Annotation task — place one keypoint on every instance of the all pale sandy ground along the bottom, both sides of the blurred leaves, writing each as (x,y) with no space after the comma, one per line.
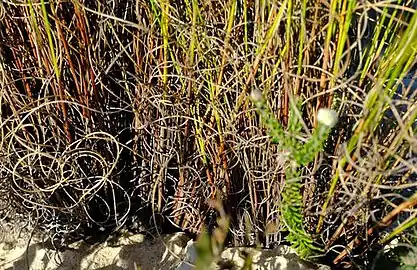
(127,252)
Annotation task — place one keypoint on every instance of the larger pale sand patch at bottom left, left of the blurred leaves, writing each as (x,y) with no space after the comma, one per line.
(130,252)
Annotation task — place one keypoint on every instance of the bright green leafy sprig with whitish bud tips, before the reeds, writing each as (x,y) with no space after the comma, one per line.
(297,154)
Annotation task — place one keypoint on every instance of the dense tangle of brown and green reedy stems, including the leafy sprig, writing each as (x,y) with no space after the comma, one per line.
(116,111)
